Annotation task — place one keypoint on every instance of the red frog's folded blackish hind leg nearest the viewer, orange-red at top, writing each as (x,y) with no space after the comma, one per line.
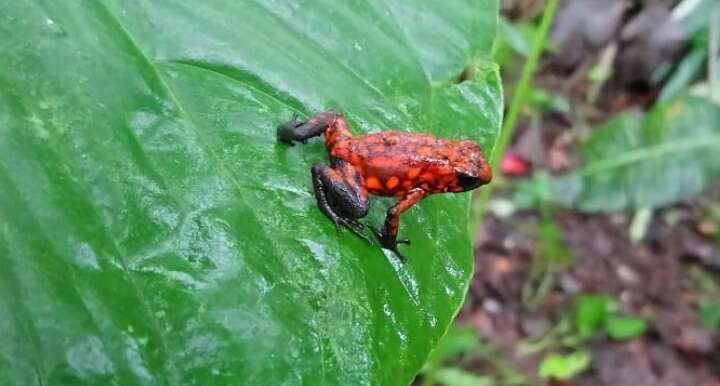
(340,195)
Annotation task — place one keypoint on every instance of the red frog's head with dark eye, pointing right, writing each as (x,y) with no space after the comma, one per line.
(471,168)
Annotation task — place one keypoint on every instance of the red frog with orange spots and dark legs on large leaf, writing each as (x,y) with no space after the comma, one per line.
(406,165)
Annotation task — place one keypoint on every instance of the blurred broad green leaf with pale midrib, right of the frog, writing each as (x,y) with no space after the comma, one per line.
(636,163)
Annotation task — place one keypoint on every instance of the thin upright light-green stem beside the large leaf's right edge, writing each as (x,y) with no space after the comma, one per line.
(518,100)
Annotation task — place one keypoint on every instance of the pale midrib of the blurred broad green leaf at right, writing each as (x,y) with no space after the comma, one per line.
(645,153)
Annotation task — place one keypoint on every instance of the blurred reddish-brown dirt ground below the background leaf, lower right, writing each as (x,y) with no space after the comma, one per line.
(657,279)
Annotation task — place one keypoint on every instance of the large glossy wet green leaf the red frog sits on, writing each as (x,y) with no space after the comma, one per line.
(152,230)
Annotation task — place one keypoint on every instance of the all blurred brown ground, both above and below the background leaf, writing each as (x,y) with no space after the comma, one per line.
(662,277)
